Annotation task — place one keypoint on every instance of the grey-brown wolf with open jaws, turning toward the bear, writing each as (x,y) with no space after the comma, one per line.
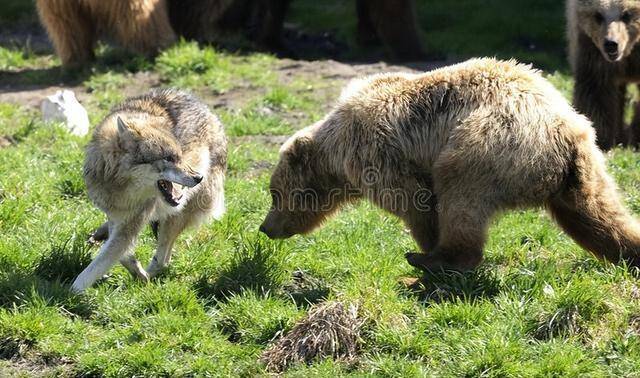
(159,158)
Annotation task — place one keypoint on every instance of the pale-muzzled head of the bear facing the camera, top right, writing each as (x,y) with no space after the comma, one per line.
(612,25)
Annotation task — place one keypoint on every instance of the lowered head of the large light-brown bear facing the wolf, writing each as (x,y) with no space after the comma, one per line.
(303,192)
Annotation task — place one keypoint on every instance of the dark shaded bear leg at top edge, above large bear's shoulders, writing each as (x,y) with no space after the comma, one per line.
(392,22)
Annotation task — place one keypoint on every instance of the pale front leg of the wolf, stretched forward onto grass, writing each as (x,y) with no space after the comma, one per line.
(122,238)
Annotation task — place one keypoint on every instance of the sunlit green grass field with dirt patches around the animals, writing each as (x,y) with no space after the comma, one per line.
(538,306)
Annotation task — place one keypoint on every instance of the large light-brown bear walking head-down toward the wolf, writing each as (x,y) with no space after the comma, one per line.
(447,150)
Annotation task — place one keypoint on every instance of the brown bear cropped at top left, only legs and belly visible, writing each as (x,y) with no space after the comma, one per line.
(74,26)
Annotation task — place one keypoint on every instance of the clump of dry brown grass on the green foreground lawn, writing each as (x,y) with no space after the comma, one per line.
(331,329)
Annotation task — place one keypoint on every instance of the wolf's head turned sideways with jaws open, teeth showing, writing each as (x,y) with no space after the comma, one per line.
(156,160)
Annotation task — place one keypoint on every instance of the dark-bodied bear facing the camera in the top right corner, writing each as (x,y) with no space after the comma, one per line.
(602,38)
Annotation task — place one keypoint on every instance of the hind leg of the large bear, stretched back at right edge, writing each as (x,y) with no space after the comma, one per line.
(590,210)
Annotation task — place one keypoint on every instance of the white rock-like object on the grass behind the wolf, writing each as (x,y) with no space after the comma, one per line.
(64,107)
